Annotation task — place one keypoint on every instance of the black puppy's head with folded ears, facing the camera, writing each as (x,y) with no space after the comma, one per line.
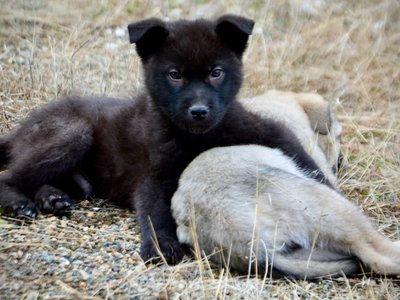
(192,69)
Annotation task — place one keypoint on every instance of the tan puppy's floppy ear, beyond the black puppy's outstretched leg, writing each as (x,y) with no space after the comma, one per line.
(318,110)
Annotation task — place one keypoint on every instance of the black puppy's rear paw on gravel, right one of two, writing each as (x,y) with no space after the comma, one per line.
(52,200)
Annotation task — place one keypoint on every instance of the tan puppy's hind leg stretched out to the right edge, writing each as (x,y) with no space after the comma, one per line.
(343,226)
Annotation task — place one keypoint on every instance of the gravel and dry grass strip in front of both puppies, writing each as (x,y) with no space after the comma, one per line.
(94,254)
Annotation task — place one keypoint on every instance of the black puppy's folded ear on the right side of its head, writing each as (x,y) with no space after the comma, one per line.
(234,31)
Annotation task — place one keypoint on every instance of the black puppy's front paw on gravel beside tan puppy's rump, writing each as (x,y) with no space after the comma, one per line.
(166,248)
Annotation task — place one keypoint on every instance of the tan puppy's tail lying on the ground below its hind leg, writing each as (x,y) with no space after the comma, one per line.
(324,263)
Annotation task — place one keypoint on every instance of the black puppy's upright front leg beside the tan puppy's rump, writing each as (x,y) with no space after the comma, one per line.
(158,228)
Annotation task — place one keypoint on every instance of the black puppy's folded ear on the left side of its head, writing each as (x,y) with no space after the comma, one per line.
(148,35)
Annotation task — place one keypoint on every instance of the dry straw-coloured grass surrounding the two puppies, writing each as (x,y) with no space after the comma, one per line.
(348,51)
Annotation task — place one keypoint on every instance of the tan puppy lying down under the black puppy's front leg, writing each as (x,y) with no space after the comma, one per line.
(252,206)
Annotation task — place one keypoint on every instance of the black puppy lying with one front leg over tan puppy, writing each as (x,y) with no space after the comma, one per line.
(133,152)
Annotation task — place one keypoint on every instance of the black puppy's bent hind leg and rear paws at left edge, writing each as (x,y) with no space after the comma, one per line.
(41,153)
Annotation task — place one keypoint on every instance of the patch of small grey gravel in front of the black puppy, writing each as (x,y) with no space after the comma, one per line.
(93,253)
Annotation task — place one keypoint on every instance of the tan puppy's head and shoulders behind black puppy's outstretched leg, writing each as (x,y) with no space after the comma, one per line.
(310,117)
